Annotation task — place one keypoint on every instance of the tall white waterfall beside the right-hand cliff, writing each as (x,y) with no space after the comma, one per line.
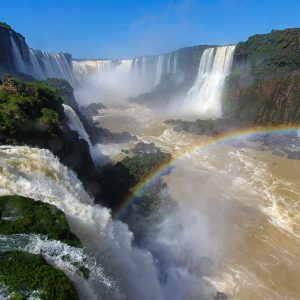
(204,98)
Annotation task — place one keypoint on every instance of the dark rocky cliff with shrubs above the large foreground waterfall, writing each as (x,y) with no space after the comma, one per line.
(32,114)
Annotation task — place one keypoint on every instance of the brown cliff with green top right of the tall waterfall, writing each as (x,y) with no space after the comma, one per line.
(265,81)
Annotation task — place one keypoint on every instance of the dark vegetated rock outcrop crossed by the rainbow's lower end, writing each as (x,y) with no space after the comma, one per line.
(146,209)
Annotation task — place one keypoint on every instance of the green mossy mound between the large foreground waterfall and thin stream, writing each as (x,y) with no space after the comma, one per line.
(24,215)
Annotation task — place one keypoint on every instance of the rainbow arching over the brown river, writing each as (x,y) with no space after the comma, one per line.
(164,168)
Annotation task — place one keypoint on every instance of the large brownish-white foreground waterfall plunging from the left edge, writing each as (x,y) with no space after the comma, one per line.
(36,173)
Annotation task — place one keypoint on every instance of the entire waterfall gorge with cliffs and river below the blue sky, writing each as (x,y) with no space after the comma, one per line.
(170,176)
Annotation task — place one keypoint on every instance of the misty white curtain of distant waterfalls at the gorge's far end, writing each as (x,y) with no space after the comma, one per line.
(161,82)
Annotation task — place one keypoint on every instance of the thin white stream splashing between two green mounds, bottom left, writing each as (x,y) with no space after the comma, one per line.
(63,257)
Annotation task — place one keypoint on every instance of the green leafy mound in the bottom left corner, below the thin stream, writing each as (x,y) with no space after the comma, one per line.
(24,273)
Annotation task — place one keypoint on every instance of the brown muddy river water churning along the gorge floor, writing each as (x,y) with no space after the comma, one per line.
(248,201)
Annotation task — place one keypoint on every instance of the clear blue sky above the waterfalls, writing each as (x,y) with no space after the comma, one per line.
(127,28)
